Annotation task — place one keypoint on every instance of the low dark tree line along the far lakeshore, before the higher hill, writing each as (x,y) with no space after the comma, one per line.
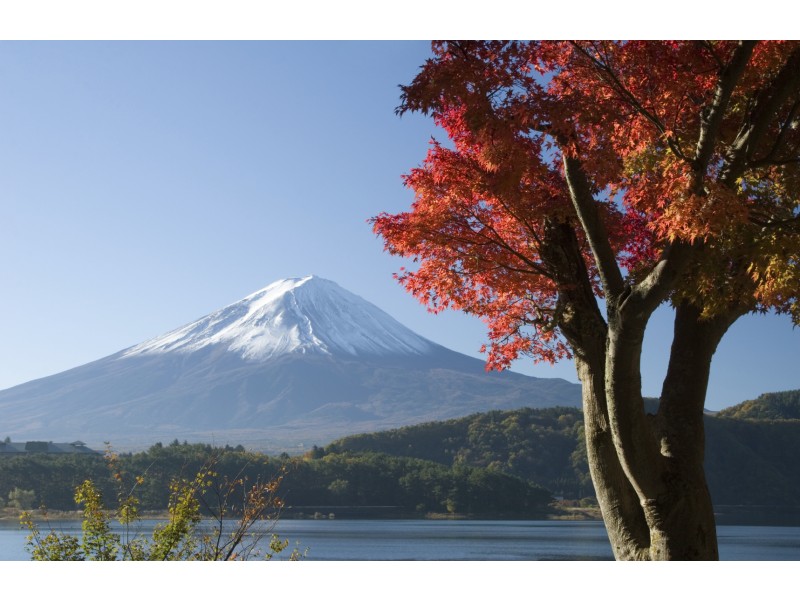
(400,485)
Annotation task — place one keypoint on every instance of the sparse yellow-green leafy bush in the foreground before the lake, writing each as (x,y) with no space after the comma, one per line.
(243,517)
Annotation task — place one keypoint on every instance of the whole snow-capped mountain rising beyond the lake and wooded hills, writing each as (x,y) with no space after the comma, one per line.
(300,362)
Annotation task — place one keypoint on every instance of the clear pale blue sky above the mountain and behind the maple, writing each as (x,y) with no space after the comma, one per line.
(145,184)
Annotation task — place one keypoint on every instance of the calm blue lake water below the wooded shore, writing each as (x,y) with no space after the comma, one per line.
(430,540)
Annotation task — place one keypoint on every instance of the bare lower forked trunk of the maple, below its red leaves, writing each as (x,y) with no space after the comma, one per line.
(648,469)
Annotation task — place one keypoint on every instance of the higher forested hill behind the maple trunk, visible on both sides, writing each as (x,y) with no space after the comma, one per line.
(748,461)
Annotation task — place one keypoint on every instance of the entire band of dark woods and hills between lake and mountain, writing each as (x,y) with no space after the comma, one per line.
(496,463)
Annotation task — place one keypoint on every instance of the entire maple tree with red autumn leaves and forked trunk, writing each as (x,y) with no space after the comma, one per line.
(583,185)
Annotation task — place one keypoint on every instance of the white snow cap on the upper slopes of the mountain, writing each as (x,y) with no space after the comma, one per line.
(289,316)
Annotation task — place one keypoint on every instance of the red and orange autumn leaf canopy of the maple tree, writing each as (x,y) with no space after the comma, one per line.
(677,144)
